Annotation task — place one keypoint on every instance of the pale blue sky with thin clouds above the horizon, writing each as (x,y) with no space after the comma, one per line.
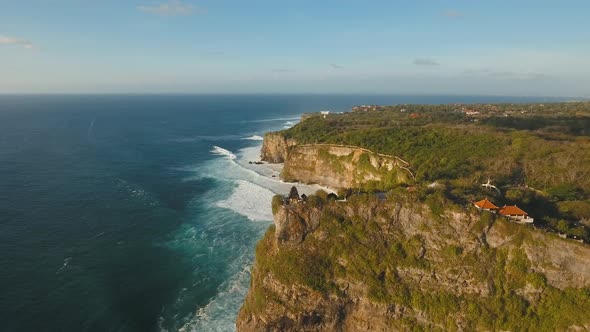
(512,48)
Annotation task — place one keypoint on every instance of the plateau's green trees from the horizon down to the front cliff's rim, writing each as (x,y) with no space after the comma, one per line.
(537,154)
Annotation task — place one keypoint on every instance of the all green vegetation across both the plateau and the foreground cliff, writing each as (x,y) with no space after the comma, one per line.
(538,157)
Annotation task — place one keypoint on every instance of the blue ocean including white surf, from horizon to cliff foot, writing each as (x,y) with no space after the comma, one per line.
(130,212)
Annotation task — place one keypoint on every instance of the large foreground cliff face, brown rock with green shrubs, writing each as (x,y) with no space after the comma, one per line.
(386,266)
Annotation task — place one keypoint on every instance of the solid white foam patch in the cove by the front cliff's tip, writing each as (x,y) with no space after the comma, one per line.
(250,200)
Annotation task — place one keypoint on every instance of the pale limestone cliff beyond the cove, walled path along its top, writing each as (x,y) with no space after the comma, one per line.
(340,166)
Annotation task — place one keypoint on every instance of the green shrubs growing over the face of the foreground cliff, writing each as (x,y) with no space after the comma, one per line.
(366,247)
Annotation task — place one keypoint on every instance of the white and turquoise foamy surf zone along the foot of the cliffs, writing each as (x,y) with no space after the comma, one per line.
(246,189)
